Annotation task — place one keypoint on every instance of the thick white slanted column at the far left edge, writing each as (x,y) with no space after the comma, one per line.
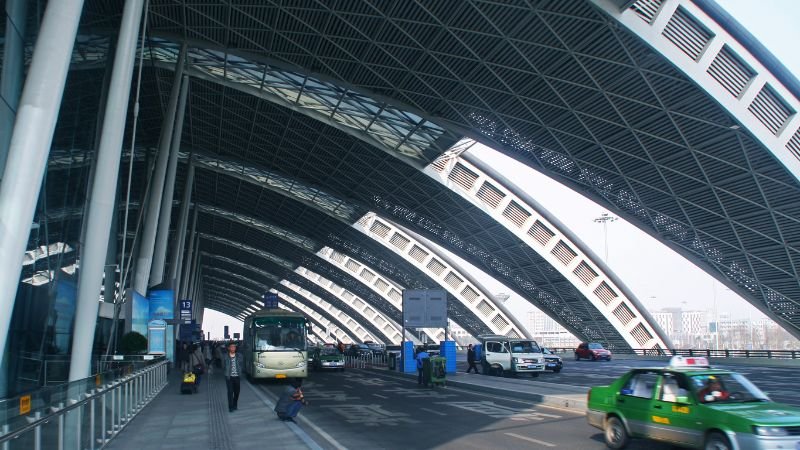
(30,144)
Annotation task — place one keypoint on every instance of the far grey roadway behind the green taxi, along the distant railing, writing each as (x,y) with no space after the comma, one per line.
(780,383)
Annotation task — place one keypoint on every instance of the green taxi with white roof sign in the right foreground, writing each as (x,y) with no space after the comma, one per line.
(690,404)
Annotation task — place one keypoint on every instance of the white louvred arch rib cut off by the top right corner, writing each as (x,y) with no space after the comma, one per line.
(706,53)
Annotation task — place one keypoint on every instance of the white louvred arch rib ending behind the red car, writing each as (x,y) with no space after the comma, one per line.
(548,240)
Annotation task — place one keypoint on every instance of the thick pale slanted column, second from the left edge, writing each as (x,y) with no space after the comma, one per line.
(104,192)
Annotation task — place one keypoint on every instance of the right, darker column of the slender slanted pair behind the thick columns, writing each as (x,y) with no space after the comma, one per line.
(165,217)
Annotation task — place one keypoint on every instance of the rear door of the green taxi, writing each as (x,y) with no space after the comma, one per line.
(635,401)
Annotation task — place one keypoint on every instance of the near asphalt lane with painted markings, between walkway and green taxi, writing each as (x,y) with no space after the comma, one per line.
(359,409)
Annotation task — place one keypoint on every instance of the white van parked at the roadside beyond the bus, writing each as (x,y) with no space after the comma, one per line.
(502,354)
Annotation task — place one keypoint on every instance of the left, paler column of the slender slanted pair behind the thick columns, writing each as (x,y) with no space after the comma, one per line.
(144,260)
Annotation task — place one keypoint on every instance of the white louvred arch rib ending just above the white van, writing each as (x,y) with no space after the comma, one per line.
(449,277)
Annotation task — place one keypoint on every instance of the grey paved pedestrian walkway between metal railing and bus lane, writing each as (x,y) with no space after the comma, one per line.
(202,421)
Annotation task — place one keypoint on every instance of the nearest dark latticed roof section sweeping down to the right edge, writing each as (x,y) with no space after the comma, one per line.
(580,120)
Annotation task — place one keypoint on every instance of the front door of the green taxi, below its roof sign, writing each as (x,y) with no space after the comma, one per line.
(674,412)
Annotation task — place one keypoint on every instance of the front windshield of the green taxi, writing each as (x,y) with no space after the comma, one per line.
(726,388)
